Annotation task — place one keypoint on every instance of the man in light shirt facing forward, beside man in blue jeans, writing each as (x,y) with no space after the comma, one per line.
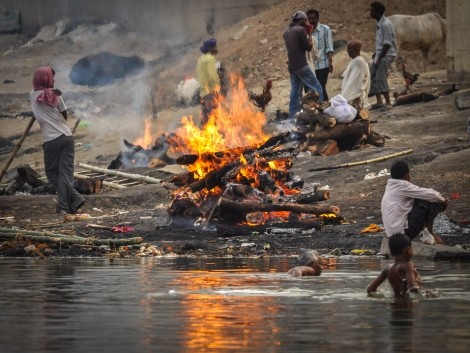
(324,60)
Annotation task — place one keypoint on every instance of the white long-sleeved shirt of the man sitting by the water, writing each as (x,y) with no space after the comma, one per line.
(398,201)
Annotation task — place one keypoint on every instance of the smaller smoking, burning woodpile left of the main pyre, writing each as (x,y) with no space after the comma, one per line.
(137,156)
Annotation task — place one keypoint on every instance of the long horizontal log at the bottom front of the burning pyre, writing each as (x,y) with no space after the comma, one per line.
(251,206)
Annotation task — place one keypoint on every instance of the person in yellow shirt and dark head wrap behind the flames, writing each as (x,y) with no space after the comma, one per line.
(208,78)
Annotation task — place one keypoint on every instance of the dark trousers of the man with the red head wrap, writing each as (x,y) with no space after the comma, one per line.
(58,162)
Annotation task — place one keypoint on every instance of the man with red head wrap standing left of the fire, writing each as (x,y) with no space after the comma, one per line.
(51,113)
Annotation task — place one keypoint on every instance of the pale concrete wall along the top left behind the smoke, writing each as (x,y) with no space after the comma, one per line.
(192,18)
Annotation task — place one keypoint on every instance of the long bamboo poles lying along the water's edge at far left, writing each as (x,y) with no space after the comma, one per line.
(49,237)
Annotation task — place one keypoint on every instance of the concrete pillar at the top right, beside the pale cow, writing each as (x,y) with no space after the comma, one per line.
(458,44)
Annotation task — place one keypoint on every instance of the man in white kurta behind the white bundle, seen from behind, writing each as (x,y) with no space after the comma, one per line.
(356,77)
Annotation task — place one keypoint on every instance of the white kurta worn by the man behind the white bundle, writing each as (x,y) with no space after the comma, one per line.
(356,80)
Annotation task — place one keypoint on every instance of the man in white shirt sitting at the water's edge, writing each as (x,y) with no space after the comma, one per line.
(407,208)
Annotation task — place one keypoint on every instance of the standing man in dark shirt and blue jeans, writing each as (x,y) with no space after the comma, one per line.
(298,44)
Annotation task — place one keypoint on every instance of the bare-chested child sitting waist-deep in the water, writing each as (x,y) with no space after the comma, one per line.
(402,274)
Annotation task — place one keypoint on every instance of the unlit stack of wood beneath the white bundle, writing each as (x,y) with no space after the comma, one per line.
(321,134)
